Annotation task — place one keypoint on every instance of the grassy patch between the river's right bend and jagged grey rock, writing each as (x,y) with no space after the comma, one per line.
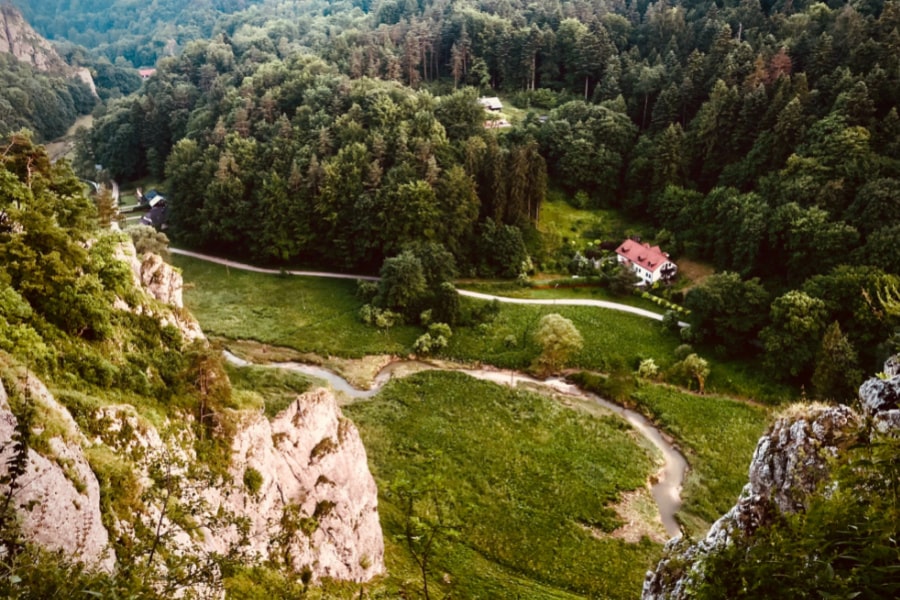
(717,435)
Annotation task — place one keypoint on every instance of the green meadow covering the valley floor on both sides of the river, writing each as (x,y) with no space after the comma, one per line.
(527,483)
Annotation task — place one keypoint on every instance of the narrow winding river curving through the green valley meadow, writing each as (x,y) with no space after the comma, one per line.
(666,488)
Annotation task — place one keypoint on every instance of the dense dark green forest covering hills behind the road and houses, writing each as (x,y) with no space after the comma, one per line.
(759,137)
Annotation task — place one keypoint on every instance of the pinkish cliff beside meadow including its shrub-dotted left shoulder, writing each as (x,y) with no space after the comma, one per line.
(299,492)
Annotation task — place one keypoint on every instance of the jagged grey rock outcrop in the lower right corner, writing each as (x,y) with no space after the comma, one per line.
(789,464)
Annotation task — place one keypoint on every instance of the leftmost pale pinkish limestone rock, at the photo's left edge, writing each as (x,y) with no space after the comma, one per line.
(57,499)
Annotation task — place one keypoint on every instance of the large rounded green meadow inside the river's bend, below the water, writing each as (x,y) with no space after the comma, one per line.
(522,477)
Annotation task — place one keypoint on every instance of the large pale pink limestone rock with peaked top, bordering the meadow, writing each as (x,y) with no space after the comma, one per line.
(312,476)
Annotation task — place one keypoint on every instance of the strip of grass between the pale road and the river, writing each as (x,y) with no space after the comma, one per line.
(320,316)
